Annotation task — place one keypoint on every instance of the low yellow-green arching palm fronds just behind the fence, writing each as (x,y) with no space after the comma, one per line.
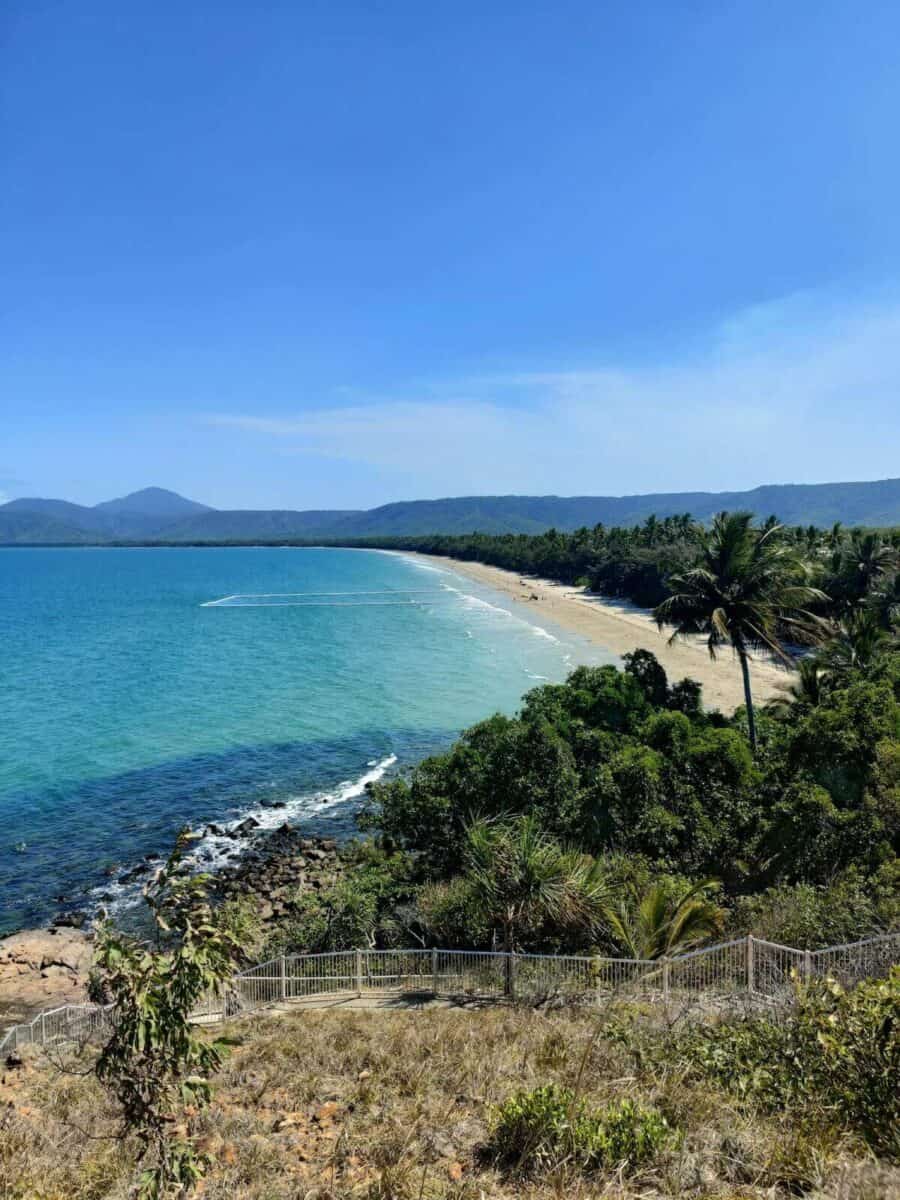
(653,925)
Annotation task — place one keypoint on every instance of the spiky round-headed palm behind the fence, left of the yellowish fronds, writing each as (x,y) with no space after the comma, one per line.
(521,877)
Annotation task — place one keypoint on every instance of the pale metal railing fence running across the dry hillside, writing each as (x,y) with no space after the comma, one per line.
(747,968)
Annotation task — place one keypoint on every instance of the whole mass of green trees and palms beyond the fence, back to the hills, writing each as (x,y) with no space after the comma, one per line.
(614,812)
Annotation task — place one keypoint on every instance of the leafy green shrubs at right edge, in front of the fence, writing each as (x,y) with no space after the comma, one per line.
(836,1059)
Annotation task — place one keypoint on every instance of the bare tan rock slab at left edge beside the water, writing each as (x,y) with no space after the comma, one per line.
(43,969)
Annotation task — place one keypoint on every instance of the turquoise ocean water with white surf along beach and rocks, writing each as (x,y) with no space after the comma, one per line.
(148,689)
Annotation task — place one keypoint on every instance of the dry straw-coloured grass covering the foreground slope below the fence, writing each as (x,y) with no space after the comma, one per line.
(394,1106)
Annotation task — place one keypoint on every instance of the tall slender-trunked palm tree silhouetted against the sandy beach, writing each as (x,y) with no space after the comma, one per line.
(748,589)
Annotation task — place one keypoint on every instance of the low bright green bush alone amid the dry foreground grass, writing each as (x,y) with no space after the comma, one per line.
(537,1130)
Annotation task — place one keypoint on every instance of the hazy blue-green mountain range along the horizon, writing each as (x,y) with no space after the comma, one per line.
(157,515)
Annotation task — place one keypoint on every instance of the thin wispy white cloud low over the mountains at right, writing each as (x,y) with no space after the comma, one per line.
(799,391)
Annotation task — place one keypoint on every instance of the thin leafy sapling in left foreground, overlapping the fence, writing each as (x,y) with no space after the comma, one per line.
(155,1063)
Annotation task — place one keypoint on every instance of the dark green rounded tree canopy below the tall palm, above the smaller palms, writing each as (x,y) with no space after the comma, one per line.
(605,770)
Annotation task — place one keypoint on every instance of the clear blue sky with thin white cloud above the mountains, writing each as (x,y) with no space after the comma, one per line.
(331,255)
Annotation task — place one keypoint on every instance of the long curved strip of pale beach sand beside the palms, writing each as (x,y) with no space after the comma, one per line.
(621,627)
